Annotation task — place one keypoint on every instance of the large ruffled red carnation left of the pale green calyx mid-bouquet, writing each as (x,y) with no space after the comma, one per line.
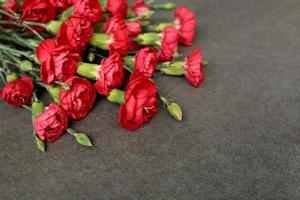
(58,62)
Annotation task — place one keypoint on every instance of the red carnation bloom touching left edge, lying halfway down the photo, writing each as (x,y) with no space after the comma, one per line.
(18,92)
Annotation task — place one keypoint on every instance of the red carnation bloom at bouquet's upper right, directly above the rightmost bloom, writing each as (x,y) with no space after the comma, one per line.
(186,21)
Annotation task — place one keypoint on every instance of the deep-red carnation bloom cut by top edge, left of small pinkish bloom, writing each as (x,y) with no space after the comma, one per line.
(117,7)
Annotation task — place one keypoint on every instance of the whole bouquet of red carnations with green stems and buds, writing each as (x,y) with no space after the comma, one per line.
(78,49)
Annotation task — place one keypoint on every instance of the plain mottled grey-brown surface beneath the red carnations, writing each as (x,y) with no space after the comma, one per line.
(239,138)
